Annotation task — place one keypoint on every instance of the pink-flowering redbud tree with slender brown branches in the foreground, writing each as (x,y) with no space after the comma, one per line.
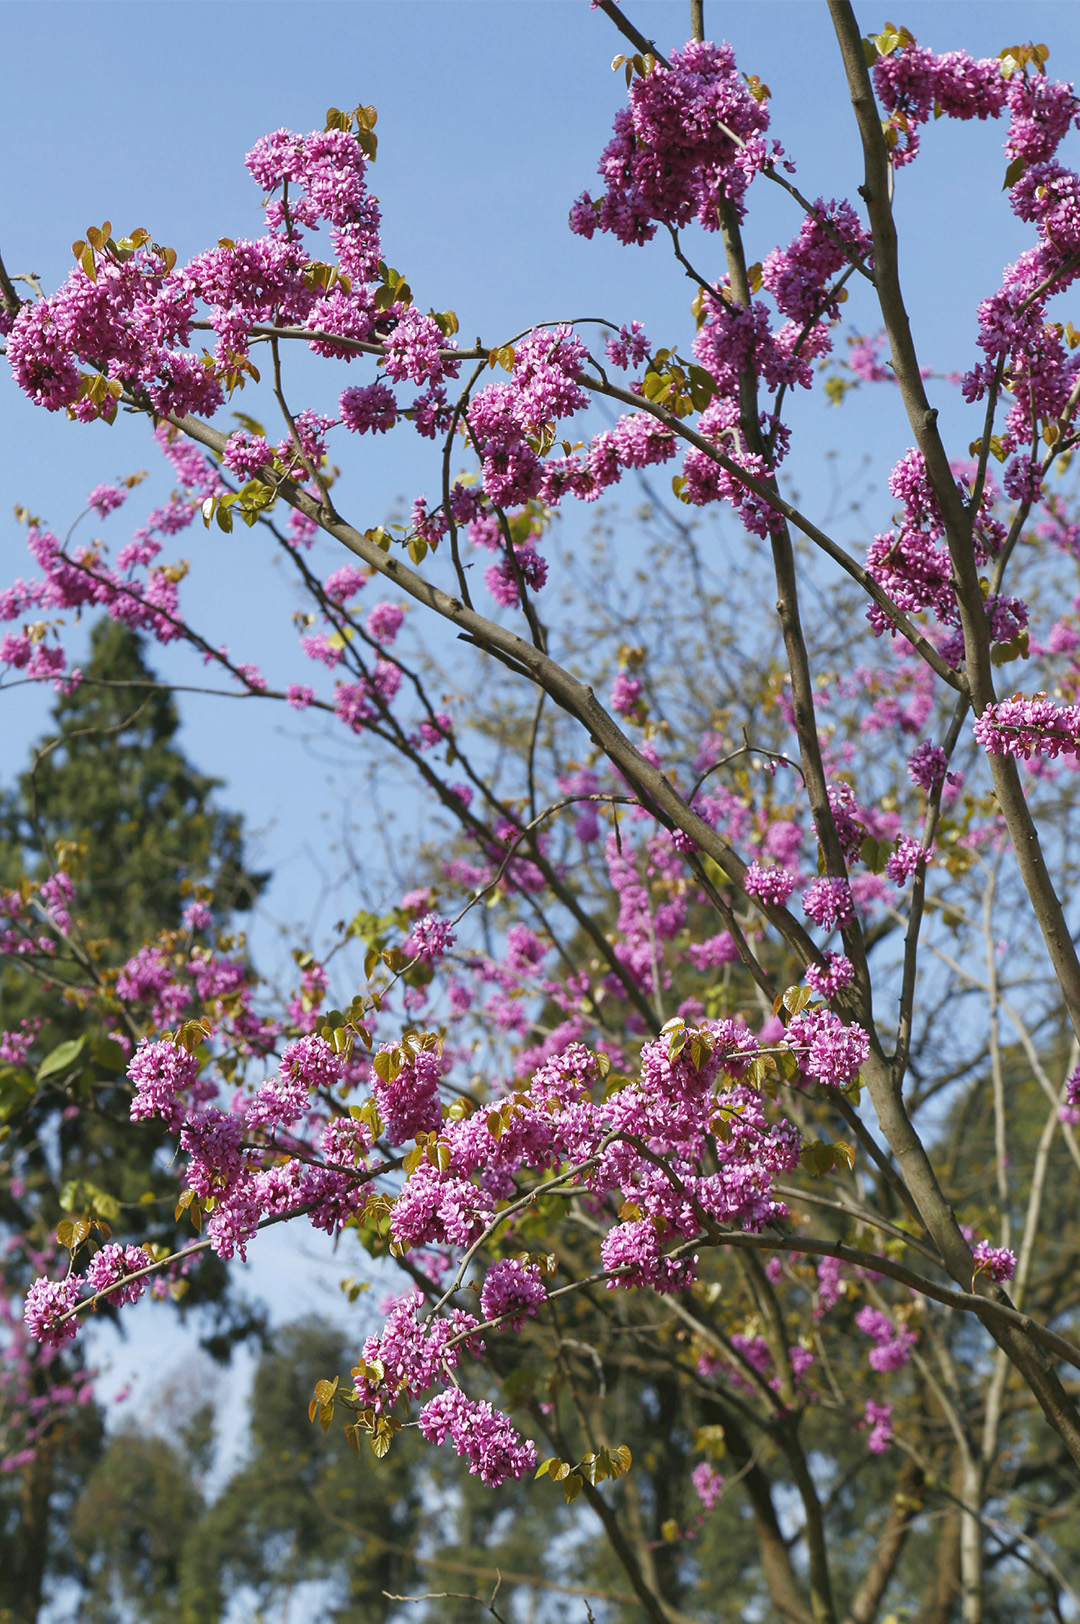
(751,925)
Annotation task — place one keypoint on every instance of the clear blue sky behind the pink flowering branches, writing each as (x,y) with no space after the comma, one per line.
(493,116)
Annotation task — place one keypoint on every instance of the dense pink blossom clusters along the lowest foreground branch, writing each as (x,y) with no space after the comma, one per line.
(681,1151)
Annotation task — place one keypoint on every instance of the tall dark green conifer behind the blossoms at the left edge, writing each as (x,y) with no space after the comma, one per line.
(114,798)
